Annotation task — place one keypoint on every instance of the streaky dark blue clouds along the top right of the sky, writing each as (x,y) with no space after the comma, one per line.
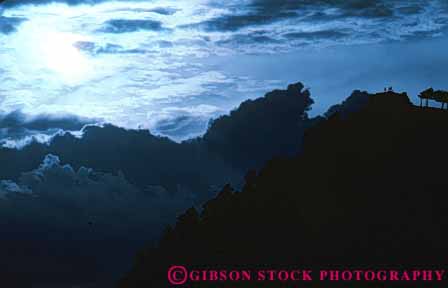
(317,21)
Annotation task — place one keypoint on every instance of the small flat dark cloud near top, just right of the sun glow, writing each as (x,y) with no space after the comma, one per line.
(127,26)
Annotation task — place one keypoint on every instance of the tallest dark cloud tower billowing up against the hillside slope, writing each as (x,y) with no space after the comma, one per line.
(258,125)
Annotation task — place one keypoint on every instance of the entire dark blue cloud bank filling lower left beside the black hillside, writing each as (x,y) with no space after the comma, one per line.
(136,182)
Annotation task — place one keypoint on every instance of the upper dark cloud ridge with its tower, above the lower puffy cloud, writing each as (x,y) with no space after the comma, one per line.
(190,166)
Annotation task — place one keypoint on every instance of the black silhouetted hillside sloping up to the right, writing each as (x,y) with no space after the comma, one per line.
(369,190)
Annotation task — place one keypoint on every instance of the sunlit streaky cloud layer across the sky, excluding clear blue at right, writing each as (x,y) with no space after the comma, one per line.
(131,73)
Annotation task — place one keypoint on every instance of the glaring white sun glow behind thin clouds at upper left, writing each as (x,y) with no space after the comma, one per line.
(45,48)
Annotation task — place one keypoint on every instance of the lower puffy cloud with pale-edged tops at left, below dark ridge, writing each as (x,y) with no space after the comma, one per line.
(107,198)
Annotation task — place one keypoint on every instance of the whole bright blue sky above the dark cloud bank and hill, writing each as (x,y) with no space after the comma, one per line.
(170,66)
